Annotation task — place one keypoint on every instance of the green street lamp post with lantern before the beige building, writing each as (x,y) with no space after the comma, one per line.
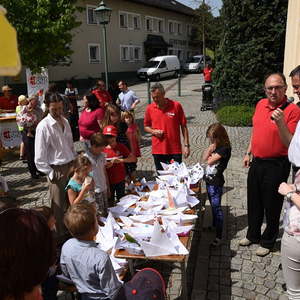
(103,14)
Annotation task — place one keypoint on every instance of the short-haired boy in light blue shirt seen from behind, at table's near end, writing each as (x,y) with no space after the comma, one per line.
(82,260)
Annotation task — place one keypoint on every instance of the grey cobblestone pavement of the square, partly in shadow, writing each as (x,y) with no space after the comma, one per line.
(229,272)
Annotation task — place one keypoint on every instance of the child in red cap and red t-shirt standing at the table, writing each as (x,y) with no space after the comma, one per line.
(116,155)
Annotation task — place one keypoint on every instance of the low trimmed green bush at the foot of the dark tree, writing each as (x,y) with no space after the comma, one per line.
(235,115)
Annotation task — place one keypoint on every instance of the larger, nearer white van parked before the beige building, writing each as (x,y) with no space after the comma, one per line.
(160,67)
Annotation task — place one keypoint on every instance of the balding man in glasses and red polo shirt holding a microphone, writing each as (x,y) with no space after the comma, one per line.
(270,165)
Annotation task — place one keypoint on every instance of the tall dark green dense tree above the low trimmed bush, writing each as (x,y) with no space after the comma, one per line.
(252,46)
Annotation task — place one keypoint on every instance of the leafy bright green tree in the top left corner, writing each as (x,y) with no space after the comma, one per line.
(44,30)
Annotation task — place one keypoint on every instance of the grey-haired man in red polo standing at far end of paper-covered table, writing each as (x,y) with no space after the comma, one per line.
(164,119)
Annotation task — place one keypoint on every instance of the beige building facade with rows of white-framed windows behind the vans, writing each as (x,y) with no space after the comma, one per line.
(138,30)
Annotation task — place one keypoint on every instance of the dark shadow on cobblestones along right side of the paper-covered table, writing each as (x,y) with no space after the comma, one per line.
(213,268)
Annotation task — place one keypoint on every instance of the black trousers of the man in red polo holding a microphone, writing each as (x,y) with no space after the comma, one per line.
(263,199)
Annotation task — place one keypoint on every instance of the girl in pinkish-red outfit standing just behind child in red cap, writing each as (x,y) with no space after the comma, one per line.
(133,135)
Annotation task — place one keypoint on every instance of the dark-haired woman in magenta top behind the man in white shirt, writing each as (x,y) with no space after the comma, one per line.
(90,118)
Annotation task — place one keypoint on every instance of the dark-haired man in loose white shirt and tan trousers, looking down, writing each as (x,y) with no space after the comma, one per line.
(54,154)
